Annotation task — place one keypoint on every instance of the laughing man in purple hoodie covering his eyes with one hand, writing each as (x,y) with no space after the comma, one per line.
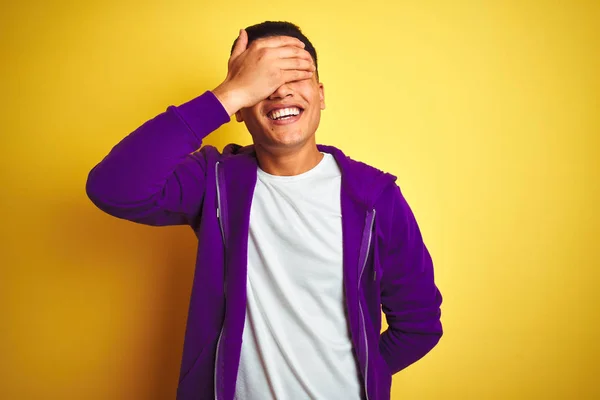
(299,246)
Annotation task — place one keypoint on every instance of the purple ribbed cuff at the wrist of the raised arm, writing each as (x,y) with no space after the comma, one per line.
(203,114)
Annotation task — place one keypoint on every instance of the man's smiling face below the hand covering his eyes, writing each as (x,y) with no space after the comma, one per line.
(273,123)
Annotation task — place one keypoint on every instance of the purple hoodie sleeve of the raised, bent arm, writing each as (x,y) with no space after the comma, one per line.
(155,175)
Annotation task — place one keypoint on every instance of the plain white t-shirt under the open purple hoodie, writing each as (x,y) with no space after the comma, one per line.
(296,343)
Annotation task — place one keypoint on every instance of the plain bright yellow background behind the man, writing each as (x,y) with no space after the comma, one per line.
(486,111)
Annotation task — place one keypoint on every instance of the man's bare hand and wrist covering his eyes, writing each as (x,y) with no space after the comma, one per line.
(256,71)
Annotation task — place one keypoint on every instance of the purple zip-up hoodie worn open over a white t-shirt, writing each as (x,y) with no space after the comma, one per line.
(157,176)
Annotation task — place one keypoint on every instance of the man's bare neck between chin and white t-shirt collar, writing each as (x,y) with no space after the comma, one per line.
(288,163)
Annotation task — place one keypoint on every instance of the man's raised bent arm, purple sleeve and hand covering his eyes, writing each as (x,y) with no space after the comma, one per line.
(154,175)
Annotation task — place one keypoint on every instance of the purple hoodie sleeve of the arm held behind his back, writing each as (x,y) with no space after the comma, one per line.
(410,299)
